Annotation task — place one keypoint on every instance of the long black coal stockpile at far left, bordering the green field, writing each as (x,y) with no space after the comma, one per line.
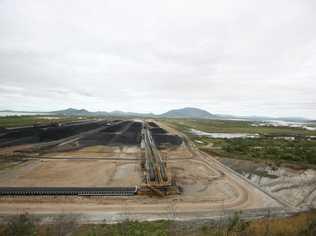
(45,133)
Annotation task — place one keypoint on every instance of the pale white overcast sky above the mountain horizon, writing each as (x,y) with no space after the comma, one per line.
(245,57)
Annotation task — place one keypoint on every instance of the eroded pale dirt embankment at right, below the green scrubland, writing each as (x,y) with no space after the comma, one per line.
(296,186)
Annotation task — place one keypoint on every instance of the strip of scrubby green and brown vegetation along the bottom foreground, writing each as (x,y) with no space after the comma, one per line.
(303,224)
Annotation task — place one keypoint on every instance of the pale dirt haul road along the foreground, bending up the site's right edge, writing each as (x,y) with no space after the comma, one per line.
(242,195)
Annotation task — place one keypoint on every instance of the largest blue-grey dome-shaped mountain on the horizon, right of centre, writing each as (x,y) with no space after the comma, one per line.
(188,112)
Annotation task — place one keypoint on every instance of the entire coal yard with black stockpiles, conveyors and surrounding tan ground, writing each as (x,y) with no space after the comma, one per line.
(101,164)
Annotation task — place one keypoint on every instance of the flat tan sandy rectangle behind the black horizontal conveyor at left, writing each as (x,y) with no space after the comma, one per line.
(86,173)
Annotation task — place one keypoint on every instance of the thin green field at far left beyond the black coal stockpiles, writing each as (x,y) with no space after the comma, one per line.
(16,121)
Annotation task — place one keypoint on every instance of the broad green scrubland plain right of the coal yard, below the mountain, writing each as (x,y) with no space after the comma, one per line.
(300,150)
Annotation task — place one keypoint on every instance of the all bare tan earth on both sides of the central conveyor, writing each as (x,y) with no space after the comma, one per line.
(208,186)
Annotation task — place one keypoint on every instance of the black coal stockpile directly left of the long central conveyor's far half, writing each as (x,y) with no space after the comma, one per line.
(125,132)
